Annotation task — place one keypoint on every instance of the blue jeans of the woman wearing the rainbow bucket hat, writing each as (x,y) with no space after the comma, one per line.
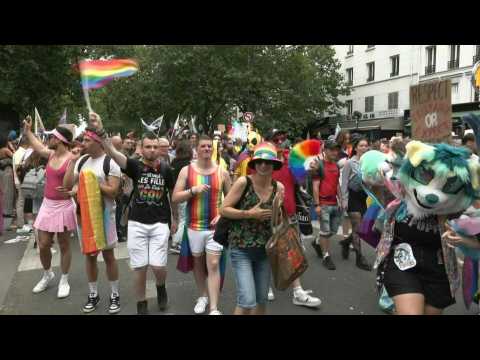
(252,276)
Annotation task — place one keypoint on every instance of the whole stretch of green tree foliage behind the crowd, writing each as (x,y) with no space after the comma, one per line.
(285,86)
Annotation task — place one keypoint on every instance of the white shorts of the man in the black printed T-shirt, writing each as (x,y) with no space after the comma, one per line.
(147,244)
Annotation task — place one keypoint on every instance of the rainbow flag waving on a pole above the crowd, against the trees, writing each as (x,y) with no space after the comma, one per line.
(98,73)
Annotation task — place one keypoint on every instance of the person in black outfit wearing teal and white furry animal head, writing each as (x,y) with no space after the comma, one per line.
(416,253)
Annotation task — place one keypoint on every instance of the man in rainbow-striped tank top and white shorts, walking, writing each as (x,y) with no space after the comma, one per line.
(201,184)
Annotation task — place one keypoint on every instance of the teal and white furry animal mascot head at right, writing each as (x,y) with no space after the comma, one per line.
(431,179)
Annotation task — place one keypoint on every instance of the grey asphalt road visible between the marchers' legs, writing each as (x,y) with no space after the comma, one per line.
(345,291)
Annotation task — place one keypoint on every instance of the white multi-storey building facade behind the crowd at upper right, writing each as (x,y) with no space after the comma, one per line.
(380,77)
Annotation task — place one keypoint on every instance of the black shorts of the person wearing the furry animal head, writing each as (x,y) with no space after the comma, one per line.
(428,278)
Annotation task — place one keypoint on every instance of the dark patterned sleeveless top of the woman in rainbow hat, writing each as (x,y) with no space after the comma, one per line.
(251,233)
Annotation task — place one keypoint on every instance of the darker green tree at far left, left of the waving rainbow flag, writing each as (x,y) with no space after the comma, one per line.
(41,76)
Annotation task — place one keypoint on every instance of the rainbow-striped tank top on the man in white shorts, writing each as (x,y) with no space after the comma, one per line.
(203,208)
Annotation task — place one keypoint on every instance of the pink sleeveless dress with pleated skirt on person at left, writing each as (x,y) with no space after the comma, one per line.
(57,214)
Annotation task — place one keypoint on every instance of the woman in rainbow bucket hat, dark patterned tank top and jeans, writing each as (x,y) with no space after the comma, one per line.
(249,206)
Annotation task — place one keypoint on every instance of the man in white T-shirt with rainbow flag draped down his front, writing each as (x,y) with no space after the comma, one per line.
(98,179)
